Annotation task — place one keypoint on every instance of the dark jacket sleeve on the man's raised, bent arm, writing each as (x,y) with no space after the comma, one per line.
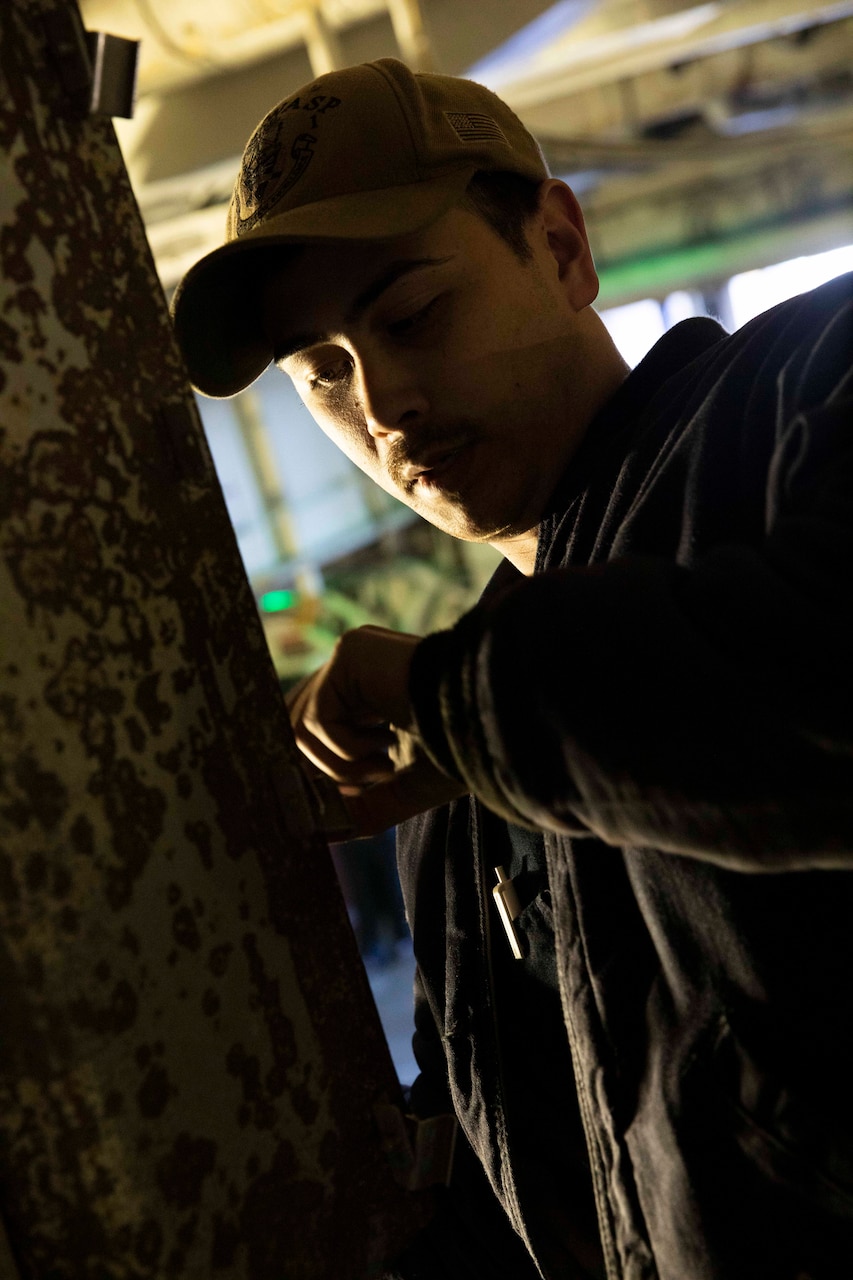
(704,708)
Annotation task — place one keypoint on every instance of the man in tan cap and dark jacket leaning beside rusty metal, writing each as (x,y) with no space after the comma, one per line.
(644,732)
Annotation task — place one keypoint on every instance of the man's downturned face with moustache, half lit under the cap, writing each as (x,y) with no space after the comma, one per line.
(448,369)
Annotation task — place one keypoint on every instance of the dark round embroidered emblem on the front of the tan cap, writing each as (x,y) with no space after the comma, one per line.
(271,167)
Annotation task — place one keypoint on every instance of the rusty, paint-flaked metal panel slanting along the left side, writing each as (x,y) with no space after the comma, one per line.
(189,1052)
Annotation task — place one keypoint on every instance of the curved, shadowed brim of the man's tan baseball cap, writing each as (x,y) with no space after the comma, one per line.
(217,308)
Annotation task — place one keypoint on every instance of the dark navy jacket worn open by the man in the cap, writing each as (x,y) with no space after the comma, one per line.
(669,706)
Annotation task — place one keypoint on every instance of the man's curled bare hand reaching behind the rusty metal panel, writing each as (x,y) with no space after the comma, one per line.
(353,720)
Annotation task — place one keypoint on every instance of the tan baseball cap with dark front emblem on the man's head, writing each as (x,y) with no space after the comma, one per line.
(366,153)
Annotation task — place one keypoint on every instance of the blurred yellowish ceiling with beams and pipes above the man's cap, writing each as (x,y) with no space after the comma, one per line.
(703,139)
